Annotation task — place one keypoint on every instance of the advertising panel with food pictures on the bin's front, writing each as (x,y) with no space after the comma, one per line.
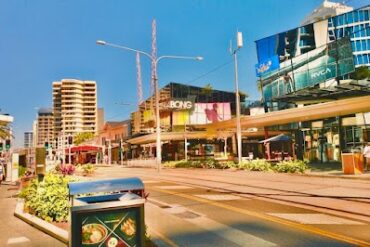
(118,228)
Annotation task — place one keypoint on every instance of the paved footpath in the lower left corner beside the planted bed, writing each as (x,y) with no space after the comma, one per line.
(13,231)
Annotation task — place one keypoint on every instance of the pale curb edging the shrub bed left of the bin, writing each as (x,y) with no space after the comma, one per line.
(50,229)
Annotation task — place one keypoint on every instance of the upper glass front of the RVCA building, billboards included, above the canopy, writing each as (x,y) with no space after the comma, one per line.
(304,55)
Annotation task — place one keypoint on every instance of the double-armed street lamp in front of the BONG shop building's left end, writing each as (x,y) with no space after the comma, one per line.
(155,61)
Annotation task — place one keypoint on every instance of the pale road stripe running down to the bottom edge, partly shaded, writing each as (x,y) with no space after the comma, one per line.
(231,234)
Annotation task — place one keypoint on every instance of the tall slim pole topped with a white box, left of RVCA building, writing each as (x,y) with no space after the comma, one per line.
(239,44)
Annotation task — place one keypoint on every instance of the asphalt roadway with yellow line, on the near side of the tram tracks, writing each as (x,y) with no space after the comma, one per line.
(180,214)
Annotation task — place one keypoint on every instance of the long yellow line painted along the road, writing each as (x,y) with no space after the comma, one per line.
(306,228)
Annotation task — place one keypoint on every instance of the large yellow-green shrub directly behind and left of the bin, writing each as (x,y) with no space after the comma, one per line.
(48,199)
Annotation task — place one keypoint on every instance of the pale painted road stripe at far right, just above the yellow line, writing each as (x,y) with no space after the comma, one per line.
(317,219)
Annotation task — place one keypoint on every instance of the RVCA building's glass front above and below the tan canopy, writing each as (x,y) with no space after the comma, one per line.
(312,64)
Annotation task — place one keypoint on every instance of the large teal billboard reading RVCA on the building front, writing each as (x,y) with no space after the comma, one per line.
(307,70)
